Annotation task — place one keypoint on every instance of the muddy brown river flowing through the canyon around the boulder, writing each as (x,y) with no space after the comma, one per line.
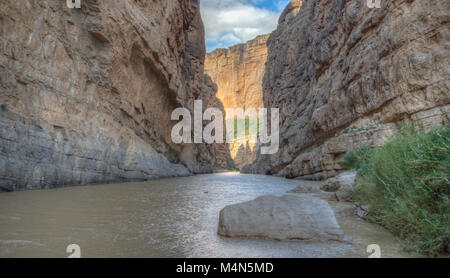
(174,217)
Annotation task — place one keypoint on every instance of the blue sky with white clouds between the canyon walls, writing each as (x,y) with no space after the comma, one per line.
(230,22)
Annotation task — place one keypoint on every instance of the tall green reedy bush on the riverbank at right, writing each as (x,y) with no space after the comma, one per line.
(407,185)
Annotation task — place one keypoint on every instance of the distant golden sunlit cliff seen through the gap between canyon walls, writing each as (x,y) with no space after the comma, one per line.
(238,72)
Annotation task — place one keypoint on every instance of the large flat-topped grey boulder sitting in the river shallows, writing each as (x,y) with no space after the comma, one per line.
(281,218)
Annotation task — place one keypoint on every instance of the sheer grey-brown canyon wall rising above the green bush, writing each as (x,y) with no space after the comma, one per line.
(343,74)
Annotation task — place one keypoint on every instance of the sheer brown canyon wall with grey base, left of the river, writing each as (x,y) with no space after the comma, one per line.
(86,94)
